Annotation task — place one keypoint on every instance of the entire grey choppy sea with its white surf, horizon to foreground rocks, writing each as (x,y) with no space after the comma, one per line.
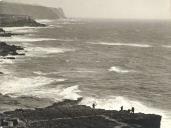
(113,63)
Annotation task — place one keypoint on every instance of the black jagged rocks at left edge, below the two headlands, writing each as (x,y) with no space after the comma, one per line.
(6,49)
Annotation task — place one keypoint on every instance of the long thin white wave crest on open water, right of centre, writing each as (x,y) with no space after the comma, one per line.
(122,44)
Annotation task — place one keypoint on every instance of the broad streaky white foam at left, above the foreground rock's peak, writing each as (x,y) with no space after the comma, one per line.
(37,87)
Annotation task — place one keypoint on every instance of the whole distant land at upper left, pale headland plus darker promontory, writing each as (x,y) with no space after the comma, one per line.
(18,15)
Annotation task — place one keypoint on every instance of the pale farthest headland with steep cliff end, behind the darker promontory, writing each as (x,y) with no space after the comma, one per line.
(36,12)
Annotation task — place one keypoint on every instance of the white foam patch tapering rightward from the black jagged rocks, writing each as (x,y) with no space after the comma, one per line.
(41,51)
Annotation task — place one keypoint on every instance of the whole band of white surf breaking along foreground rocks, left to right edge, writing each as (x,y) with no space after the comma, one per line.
(37,87)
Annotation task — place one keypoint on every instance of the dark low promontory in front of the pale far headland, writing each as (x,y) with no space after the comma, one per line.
(17,21)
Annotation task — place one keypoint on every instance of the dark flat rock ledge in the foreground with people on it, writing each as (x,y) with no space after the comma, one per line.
(69,114)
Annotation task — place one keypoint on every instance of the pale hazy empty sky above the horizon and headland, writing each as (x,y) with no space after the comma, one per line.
(143,9)
